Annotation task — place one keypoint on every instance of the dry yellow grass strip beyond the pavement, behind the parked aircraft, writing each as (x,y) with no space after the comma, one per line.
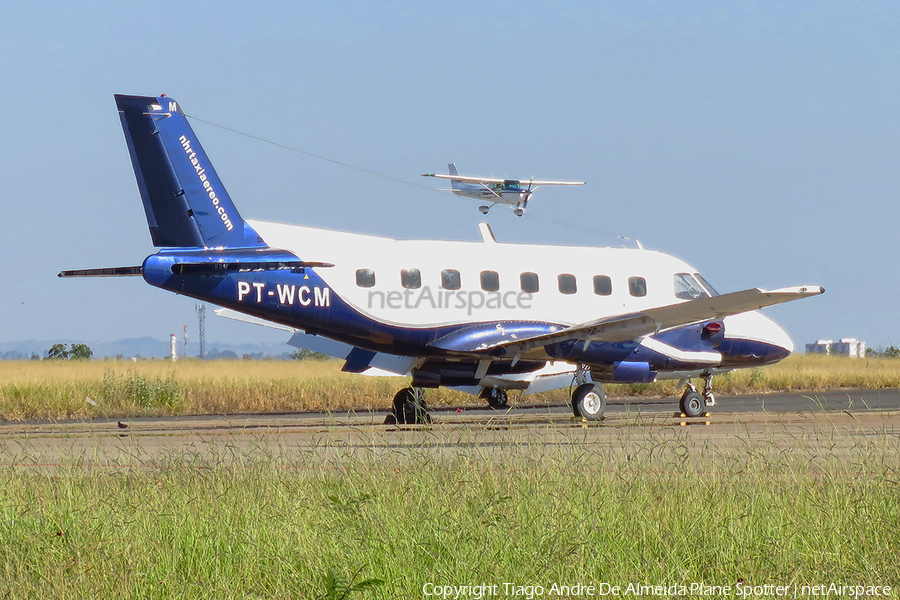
(81,389)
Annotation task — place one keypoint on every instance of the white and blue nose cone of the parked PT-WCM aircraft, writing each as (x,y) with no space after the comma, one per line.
(753,338)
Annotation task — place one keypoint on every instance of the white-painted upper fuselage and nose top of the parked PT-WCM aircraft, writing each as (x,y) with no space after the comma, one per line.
(432,304)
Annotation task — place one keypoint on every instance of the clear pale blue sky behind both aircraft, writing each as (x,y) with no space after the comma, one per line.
(758,141)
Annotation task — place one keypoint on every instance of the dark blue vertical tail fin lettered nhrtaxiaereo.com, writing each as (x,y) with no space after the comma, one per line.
(185,201)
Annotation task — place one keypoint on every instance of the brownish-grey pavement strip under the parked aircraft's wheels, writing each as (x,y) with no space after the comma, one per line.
(850,416)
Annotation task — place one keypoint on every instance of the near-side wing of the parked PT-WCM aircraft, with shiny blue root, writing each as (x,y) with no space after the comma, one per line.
(497,340)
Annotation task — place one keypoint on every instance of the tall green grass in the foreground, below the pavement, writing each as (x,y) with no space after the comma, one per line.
(662,511)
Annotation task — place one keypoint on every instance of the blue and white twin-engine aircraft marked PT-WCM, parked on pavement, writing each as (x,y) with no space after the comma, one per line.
(483,317)
